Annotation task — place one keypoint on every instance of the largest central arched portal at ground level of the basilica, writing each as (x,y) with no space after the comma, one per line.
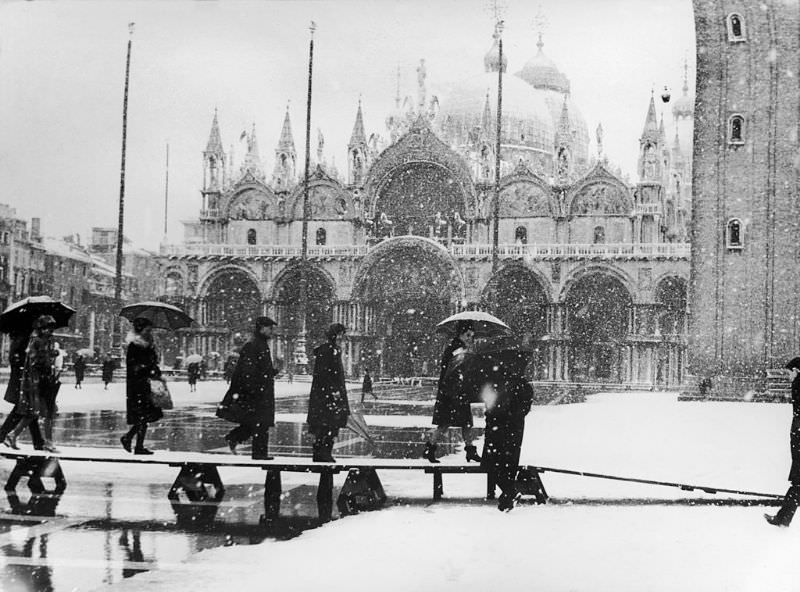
(409,286)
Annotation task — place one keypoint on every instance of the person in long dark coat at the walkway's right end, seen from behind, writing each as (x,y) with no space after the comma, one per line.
(508,397)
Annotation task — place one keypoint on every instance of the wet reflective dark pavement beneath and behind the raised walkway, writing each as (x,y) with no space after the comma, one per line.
(101,531)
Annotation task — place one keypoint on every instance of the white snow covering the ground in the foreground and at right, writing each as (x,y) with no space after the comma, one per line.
(465,544)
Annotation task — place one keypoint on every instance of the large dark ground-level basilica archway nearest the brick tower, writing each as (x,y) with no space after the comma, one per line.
(598,311)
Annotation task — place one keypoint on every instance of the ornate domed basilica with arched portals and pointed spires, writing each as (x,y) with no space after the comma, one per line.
(593,270)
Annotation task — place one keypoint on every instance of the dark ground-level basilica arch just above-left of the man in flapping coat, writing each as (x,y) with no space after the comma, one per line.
(232,301)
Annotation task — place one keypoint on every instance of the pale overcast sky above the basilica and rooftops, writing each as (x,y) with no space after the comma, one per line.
(62,70)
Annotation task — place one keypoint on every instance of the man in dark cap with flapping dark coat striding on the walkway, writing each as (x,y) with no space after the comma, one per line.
(250,400)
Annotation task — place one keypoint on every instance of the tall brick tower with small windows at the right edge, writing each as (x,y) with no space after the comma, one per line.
(745,289)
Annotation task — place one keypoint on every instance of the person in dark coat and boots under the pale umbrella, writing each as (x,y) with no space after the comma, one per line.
(454,394)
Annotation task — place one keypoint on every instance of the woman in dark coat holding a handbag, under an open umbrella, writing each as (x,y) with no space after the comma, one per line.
(141,365)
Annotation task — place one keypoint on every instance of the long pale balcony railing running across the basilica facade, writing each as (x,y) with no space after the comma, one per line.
(458,251)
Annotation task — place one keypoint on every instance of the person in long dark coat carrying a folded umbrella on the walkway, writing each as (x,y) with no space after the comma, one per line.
(328,408)
